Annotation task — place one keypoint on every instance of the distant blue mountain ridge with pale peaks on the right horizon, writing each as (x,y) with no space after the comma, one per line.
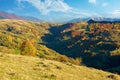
(96,19)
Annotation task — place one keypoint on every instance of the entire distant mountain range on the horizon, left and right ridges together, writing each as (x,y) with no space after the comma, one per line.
(6,15)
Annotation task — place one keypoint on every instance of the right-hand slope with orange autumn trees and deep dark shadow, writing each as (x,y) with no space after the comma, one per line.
(97,44)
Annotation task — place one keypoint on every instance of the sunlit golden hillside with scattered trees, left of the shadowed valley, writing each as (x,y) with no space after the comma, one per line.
(24,37)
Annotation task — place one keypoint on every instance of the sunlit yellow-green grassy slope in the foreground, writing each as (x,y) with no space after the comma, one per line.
(16,67)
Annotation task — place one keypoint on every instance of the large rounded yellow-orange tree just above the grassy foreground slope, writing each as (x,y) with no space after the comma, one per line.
(27,48)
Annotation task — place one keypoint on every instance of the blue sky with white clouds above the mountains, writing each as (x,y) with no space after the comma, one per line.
(62,10)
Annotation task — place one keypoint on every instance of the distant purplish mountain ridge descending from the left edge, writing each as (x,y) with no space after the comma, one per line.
(5,15)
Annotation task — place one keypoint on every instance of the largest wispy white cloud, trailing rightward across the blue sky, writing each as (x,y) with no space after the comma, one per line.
(47,6)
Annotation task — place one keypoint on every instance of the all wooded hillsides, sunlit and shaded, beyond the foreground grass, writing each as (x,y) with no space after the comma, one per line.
(95,45)
